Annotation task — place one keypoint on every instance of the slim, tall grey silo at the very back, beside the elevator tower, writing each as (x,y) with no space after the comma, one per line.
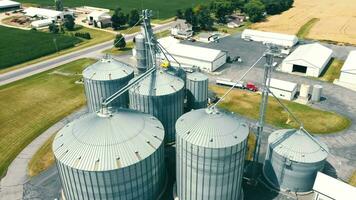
(140,52)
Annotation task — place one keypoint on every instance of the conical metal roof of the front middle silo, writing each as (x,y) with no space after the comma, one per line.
(211,128)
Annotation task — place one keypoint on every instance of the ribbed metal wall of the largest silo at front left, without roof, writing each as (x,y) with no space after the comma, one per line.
(142,181)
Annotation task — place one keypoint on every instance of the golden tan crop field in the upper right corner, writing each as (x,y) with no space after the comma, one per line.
(334,20)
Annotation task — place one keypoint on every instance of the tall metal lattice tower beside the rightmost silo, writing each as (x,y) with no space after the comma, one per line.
(269,55)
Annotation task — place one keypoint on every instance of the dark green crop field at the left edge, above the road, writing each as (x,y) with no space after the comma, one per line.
(17,46)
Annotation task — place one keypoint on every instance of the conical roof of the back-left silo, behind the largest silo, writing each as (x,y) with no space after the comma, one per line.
(107,69)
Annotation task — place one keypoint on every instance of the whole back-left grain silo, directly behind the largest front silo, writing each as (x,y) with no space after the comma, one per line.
(104,78)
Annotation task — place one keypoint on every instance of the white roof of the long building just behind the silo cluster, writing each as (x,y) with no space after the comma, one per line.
(189,51)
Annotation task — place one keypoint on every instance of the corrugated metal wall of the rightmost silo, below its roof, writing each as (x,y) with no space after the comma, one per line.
(298,177)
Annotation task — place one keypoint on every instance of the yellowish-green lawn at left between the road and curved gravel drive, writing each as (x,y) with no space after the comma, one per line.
(32,105)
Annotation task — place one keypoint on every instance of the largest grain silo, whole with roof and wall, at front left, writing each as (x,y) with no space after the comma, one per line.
(117,155)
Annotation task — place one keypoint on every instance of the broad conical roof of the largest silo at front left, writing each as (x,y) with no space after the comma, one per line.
(108,141)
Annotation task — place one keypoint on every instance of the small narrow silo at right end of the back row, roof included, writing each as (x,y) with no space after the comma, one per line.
(197,90)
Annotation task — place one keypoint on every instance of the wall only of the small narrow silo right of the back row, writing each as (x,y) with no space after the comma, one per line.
(197,94)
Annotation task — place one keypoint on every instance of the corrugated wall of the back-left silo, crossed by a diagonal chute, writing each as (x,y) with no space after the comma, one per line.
(97,91)
